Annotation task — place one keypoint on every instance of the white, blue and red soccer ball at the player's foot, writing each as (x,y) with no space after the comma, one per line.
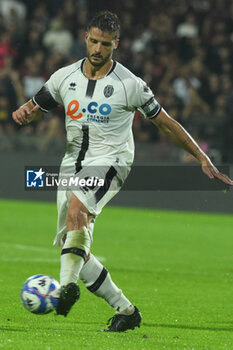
(40,294)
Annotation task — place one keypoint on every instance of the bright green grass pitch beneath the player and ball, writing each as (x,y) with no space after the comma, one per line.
(176,267)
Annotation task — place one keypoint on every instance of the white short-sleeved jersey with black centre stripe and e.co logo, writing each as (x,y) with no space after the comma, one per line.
(99,113)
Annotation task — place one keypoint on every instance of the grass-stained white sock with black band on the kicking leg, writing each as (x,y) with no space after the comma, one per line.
(73,255)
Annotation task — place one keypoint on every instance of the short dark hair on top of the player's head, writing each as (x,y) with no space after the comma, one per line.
(107,22)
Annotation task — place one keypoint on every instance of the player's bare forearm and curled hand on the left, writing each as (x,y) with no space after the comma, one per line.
(26,113)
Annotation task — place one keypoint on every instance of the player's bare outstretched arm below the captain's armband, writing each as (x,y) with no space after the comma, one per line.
(180,136)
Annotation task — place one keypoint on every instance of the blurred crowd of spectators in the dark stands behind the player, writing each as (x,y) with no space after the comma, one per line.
(183,49)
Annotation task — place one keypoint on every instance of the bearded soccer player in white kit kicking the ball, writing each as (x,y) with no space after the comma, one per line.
(100,97)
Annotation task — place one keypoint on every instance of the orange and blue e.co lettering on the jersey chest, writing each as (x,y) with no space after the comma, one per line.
(74,112)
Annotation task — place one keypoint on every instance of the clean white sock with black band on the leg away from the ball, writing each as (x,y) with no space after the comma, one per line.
(98,281)
